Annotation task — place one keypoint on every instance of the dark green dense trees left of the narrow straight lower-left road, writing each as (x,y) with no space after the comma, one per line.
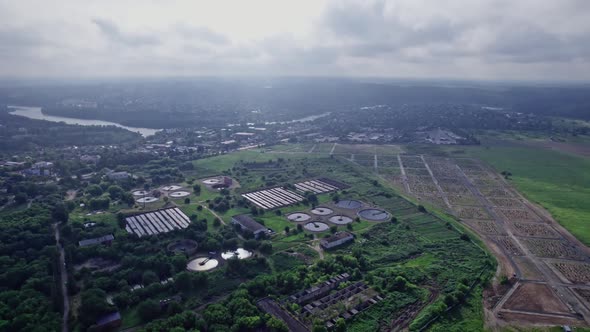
(29,279)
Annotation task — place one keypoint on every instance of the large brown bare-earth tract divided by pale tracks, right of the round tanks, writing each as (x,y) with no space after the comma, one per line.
(547,268)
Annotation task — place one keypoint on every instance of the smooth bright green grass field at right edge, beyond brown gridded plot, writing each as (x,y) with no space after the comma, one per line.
(557,181)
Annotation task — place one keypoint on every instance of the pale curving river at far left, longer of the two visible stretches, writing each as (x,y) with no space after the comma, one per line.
(35,113)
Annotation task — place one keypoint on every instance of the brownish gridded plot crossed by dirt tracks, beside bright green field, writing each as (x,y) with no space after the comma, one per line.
(487,204)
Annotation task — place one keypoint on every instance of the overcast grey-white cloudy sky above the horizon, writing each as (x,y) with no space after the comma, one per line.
(465,39)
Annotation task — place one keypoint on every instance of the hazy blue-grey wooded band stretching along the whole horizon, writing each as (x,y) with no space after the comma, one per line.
(213,102)
